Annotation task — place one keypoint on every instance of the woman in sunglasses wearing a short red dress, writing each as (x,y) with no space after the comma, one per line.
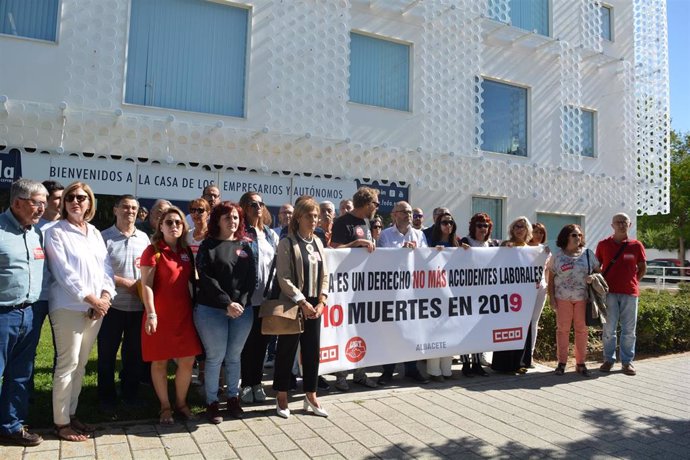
(167,268)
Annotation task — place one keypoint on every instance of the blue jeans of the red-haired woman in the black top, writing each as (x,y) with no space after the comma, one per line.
(223,338)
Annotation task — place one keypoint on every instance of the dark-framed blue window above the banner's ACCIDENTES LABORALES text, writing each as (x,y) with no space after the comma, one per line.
(504,118)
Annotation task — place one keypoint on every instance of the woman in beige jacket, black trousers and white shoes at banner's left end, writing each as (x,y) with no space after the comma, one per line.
(302,274)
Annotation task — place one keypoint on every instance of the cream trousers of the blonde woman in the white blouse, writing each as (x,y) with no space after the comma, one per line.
(75,335)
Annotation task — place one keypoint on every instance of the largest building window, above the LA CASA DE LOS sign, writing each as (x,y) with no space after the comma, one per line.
(187,55)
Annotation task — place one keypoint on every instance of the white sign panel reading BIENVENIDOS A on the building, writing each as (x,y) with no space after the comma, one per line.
(104,177)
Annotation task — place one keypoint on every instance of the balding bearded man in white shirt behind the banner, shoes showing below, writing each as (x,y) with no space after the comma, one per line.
(402,235)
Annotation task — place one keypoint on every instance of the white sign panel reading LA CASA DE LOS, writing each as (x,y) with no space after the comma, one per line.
(173,183)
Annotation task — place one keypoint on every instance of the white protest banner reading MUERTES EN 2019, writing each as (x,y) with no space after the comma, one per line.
(397,305)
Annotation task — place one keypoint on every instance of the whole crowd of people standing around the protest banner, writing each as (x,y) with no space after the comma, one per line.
(164,285)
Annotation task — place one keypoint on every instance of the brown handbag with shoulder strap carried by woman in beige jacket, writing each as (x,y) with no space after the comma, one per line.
(279,317)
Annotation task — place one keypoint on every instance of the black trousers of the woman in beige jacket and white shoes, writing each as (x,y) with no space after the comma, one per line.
(310,341)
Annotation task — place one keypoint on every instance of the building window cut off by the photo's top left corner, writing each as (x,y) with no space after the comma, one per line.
(30,18)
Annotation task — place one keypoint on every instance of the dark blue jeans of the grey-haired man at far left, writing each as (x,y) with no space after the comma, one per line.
(18,340)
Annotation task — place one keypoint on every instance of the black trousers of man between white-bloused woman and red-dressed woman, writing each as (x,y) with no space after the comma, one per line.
(120,327)
